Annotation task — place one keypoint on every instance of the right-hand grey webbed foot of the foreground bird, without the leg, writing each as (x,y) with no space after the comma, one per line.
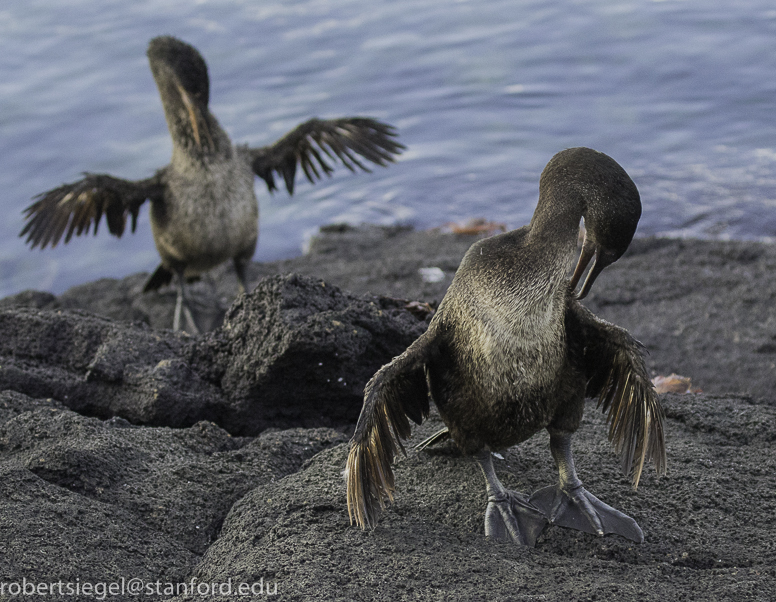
(579,509)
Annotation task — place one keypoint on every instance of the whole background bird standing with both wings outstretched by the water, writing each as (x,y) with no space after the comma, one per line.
(203,206)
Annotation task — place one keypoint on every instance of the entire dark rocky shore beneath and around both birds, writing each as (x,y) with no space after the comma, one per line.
(132,452)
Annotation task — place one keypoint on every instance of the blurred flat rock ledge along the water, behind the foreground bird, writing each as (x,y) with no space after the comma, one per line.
(704,309)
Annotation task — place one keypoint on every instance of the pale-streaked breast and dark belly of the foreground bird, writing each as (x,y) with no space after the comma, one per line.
(498,382)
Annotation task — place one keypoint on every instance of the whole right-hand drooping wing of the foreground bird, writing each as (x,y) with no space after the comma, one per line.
(618,377)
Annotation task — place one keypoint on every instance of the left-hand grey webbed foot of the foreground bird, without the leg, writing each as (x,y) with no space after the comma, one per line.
(511,517)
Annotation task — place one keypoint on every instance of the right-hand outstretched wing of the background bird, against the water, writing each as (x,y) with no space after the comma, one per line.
(317,144)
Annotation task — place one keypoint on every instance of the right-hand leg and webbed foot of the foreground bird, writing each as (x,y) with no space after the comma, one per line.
(569,504)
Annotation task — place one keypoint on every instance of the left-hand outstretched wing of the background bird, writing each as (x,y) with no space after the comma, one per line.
(73,208)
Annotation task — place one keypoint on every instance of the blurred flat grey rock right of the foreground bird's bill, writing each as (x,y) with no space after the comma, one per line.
(703,309)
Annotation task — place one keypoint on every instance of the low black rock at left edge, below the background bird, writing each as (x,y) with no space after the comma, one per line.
(103,368)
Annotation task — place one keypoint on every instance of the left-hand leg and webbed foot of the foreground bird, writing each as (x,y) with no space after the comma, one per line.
(510,516)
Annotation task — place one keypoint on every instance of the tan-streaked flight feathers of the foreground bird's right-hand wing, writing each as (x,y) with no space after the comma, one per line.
(635,415)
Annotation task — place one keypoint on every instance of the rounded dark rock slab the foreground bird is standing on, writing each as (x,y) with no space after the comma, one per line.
(708,524)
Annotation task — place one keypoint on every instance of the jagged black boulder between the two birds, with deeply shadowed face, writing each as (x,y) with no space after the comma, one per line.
(298,352)
